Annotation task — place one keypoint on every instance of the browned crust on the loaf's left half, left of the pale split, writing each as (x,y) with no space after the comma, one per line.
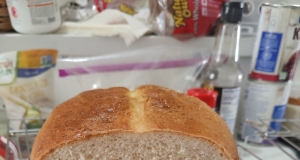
(89,114)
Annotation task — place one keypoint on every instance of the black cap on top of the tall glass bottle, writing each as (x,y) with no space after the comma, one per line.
(232,12)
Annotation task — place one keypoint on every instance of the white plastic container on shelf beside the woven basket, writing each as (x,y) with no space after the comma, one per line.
(34,17)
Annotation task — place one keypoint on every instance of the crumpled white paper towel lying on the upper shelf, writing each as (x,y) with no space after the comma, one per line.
(110,23)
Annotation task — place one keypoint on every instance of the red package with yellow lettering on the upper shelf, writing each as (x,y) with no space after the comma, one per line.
(184,18)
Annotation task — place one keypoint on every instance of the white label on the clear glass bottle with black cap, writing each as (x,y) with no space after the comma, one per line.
(227,105)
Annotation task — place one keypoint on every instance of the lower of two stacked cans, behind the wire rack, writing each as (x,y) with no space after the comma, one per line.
(262,100)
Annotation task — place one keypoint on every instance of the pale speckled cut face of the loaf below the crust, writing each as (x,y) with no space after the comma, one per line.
(155,145)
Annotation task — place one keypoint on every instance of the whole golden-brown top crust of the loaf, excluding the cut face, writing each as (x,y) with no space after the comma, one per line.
(117,110)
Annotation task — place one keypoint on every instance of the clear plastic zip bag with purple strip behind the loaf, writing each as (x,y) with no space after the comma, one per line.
(172,67)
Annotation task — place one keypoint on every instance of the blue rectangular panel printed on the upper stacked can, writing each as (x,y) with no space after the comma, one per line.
(269,52)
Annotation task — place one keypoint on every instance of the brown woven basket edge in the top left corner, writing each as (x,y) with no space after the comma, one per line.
(5,24)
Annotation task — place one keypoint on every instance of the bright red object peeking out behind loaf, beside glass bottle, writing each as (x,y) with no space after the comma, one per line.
(205,95)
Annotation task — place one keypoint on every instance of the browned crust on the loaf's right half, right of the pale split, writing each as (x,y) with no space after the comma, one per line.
(167,109)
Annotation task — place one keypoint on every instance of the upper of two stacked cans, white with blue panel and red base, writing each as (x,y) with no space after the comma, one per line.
(277,46)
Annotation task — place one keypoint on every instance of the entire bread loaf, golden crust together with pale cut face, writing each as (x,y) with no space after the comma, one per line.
(149,123)
